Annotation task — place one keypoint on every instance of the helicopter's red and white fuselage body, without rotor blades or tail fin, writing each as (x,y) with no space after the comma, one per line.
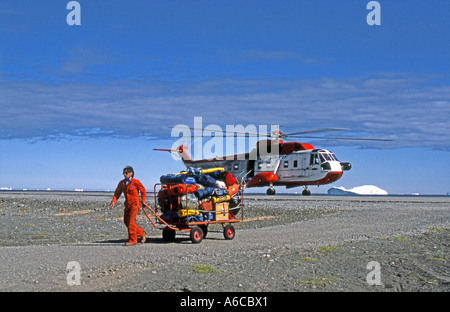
(296,164)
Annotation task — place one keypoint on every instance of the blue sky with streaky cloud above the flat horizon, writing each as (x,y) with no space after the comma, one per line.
(81,102)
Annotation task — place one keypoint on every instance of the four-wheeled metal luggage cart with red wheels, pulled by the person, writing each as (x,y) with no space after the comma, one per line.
(175,215)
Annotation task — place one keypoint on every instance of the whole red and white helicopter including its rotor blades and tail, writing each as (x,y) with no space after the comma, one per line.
(274,162)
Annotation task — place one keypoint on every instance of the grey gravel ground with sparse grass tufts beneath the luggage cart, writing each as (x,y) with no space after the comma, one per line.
(286,244)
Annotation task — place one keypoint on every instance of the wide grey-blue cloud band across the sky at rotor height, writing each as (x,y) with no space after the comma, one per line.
(414,111)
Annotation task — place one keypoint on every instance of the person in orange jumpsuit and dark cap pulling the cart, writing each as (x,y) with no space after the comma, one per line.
(131,188)
